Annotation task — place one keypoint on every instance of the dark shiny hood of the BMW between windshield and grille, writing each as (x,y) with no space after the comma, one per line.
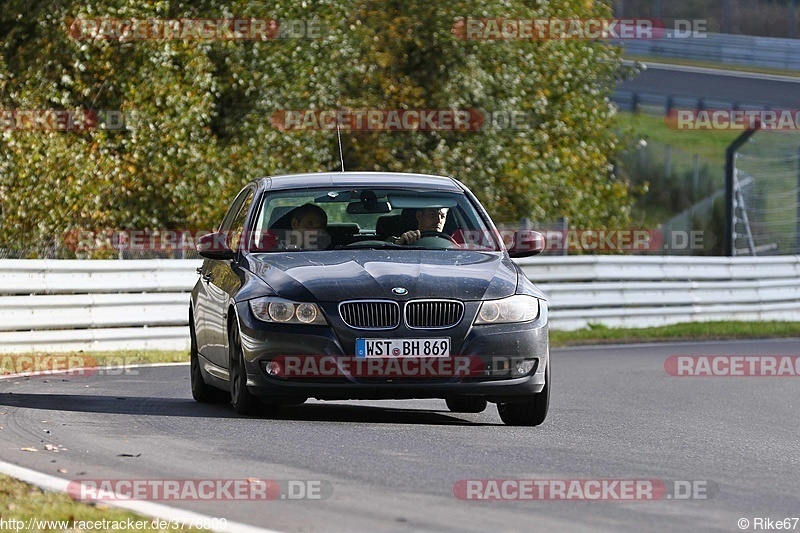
(332,276)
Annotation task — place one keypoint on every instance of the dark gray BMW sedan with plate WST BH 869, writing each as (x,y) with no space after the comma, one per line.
(362,285)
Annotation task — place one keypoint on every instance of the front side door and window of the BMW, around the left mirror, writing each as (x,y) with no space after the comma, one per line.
(223,280)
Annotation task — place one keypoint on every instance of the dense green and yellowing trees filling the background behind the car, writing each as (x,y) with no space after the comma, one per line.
(200,113)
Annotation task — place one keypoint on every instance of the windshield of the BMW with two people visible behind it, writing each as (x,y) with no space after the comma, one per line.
(369,218)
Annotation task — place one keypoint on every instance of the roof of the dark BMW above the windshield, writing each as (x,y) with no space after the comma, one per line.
(360,179)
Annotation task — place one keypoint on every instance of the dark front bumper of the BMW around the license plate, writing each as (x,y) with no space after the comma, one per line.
(493,351)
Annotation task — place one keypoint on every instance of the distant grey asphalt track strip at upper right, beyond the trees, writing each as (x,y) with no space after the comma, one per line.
(779,92)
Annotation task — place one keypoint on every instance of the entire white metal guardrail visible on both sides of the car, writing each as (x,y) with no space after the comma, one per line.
(59,306)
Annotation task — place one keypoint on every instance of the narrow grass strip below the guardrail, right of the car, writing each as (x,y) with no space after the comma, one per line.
(692,331)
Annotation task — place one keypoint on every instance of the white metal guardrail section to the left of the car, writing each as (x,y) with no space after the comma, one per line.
(64,306)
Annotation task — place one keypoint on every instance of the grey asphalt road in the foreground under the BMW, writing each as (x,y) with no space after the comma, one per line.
(615,414)
